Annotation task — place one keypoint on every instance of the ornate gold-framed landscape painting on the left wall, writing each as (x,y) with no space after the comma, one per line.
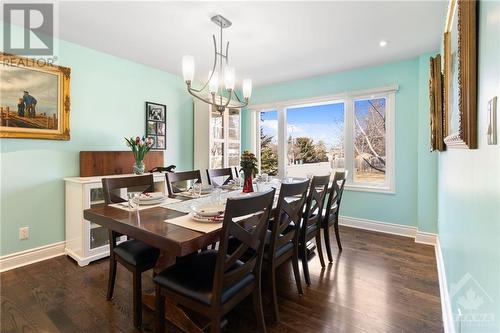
(34,99)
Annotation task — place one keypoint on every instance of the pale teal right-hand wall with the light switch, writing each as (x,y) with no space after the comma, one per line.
(469,193)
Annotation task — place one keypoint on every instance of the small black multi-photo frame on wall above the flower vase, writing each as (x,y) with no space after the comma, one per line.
(156,124)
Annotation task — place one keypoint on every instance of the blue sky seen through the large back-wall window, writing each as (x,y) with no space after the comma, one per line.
(319,122)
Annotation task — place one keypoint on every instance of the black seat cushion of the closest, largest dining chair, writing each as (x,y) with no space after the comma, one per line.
(193,277)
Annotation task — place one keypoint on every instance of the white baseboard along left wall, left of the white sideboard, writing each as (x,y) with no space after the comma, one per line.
(31,256)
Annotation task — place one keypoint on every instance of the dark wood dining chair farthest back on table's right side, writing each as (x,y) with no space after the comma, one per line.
(331,212)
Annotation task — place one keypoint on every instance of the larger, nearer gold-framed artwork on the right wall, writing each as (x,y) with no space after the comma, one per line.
(460,75)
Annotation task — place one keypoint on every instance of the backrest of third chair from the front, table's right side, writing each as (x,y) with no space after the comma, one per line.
(315,201)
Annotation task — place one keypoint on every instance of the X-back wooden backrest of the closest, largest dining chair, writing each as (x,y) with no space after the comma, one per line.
(245,219)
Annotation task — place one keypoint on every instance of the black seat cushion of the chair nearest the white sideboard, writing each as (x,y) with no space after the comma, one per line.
(137,253)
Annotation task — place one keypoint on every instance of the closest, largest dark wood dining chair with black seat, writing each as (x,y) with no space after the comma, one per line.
(212,282)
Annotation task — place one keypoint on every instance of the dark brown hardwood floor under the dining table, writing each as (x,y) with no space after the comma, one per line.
(379,283)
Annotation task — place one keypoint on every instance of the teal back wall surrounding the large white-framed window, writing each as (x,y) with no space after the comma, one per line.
(411,113)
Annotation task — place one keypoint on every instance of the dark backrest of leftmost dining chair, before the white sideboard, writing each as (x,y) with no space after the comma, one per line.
(111,187)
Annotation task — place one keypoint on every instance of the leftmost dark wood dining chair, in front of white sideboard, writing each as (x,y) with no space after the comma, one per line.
(134,255)
